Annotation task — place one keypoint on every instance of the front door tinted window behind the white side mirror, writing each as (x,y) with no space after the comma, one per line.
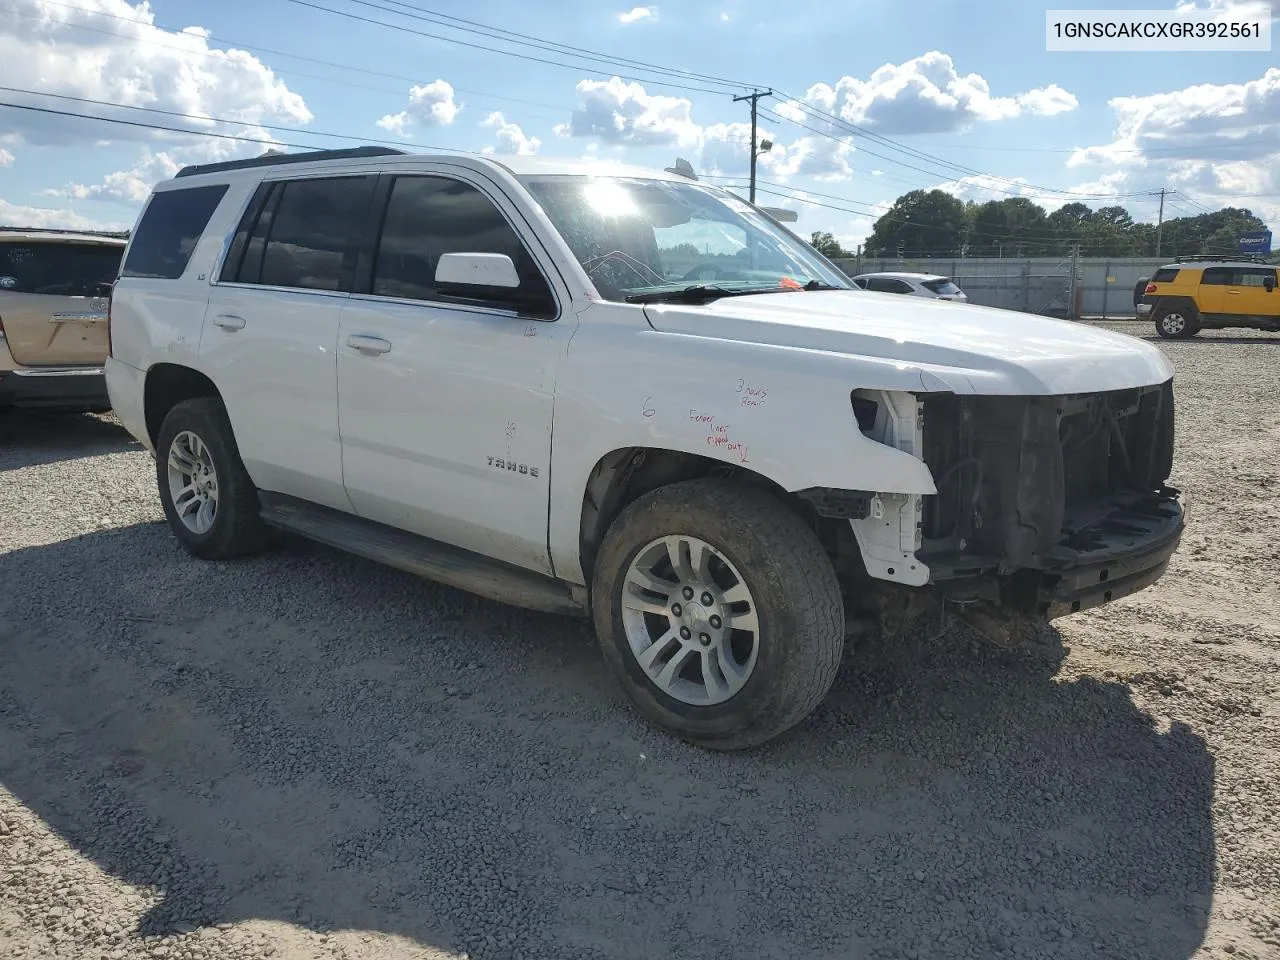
(432,216)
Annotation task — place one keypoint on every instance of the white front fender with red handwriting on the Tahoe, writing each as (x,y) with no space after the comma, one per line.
(785,414)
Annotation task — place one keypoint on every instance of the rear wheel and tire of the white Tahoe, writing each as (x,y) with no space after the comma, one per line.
(208,496)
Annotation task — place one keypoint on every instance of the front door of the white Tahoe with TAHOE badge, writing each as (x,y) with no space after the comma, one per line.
(446,401)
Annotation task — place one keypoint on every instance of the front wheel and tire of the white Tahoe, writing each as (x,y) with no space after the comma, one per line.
(720,612)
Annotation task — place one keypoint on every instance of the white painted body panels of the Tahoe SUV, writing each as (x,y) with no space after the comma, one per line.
(408,436)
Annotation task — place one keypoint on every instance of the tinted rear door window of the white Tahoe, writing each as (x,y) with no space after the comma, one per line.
(313,235)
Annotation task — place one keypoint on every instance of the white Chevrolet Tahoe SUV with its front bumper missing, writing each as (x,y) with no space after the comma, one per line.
(501,376)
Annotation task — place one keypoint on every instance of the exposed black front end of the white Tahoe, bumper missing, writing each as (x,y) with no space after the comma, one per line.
(1045,506)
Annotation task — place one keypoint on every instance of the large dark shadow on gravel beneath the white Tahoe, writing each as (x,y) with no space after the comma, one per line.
(313,739)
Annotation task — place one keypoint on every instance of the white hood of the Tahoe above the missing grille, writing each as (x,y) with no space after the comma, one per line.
(970,348)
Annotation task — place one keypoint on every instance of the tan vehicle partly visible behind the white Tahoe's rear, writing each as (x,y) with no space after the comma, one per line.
(53,318)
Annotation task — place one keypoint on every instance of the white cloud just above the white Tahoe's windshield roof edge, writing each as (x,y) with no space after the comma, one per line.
(618,112)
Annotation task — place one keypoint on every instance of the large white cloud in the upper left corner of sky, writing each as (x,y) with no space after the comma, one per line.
(130,62)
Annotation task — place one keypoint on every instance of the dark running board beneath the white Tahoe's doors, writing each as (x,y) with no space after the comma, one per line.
(420,556)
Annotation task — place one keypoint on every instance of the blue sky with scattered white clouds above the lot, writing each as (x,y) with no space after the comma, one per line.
(871,99)
